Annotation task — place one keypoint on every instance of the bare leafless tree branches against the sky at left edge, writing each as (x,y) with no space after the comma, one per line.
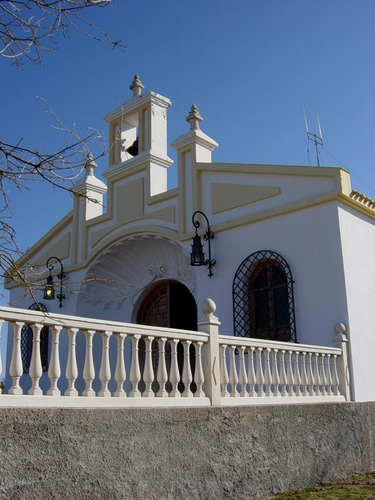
(28,29)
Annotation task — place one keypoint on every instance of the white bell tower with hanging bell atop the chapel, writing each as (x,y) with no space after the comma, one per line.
(138,135)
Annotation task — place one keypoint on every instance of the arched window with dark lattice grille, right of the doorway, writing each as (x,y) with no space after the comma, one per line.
(263,303)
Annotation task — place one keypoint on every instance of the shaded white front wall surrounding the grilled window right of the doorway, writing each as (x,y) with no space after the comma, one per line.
(309,240)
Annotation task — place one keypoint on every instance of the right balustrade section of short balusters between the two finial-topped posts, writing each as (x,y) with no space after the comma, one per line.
(277,372)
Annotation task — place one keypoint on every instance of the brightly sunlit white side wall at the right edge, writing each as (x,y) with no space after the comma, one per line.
(358,243)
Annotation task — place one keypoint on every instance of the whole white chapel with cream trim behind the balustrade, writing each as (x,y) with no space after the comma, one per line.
(288,250)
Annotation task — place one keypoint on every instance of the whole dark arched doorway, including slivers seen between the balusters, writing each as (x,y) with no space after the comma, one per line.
(169,304)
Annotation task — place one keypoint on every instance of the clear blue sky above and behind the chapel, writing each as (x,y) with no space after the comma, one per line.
(250,66)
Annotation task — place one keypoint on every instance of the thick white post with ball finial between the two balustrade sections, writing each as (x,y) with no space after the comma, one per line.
(209,323)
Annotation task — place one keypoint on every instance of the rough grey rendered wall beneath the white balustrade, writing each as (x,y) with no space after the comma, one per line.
(193,453)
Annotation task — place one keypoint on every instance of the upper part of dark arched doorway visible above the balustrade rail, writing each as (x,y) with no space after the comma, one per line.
(169,304)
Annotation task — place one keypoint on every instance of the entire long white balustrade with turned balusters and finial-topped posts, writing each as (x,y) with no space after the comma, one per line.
(150,366)
